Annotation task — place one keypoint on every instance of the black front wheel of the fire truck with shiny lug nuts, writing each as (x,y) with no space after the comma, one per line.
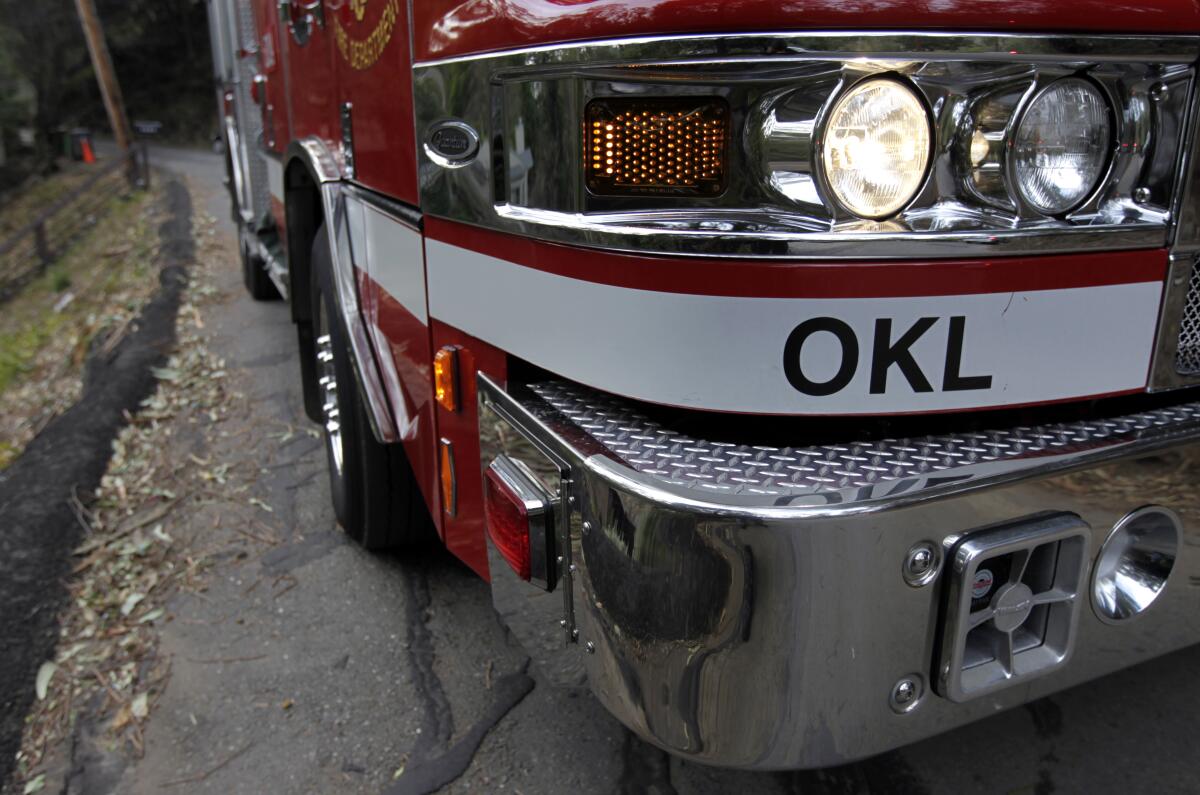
(375,494)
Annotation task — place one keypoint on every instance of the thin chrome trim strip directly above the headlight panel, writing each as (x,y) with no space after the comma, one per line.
(1172,50)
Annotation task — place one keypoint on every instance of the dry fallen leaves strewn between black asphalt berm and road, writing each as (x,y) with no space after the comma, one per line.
(130,563)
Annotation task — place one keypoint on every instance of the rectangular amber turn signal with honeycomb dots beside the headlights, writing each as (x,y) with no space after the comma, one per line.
(665,147)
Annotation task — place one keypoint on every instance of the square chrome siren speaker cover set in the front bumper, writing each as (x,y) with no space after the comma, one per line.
(1013,603)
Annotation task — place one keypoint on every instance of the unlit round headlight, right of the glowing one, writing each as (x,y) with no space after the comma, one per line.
(1061,146)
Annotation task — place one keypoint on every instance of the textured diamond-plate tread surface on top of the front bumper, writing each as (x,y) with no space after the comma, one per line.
(656,450)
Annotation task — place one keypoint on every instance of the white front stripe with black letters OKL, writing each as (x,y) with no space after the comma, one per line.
(843,356)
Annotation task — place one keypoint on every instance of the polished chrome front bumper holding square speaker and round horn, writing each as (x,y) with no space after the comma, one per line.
(748,606)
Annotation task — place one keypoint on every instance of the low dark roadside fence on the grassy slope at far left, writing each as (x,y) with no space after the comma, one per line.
(31,250)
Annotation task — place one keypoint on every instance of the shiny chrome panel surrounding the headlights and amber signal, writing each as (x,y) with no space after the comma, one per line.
(776,205)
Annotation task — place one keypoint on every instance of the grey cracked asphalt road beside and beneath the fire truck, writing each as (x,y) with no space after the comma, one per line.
(355,666)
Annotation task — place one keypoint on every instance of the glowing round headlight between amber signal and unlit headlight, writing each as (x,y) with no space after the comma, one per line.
(875,150)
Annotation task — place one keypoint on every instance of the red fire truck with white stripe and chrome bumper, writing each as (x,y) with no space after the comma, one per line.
(807,379)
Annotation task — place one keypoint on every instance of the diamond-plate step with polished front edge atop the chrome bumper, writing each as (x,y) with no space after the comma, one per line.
(896,469)
